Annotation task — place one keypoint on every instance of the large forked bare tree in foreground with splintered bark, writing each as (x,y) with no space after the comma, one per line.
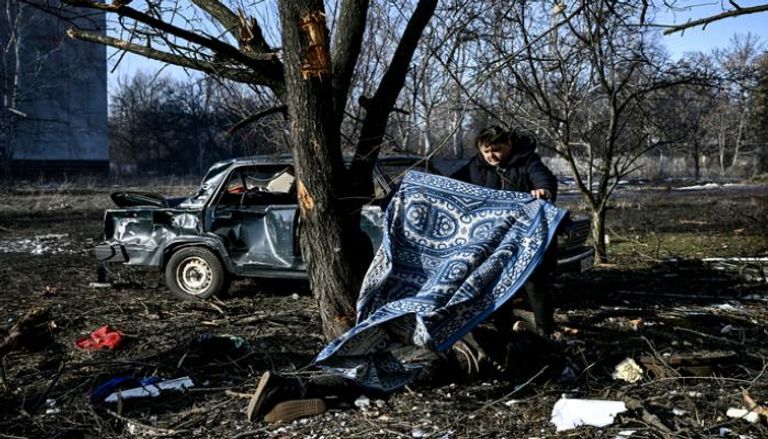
(309,70)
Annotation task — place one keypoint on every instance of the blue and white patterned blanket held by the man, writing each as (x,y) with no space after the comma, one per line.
(451,254)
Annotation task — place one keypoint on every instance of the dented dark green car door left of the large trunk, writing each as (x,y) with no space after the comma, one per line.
(256,216)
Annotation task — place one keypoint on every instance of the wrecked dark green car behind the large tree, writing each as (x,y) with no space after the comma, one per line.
(243,222)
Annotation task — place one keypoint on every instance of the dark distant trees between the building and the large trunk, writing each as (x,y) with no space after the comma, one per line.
(161,125)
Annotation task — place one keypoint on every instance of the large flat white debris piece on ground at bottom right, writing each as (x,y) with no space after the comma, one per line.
(571,413)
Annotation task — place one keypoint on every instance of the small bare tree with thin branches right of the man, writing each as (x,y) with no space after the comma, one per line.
(582,78)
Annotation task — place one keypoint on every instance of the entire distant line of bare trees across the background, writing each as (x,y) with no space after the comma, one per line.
(708,111)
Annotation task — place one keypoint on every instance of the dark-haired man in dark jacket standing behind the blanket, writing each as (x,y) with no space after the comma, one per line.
(507,160)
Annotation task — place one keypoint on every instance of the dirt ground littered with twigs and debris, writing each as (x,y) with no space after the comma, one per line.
(697,330)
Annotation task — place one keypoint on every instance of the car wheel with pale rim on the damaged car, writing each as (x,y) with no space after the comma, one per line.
(196,273)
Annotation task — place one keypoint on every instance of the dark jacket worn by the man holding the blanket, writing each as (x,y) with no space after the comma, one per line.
(523,171)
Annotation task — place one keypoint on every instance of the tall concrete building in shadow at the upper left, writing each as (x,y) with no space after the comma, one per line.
(60,97)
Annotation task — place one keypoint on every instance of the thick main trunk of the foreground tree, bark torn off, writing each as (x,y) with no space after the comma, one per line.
(315,140)
